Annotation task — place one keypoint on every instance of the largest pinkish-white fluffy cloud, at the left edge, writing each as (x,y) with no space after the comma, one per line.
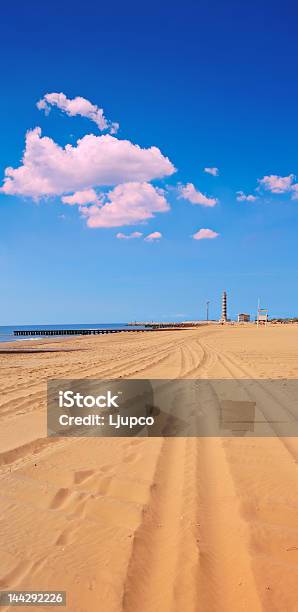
(48,169)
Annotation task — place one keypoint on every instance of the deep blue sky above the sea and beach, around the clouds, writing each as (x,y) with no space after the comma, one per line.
(209,85)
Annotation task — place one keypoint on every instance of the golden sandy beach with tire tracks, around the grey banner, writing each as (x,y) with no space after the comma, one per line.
(149,525)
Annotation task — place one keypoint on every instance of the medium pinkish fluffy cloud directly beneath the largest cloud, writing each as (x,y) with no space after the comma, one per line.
(127,204)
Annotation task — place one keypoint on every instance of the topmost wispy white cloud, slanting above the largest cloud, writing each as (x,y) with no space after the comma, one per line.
(77,106)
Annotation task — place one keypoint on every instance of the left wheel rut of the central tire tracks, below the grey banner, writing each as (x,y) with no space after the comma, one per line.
(152,571)
